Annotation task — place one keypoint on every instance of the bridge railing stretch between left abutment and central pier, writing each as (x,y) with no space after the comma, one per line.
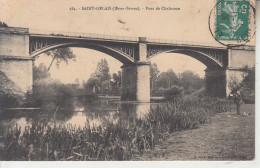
(82,35)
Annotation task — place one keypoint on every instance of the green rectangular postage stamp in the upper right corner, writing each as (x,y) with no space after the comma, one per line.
(232,20)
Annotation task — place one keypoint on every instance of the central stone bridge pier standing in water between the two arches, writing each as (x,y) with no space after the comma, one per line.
(136,82)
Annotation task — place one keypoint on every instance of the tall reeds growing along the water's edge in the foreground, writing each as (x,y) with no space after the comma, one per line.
(112,141)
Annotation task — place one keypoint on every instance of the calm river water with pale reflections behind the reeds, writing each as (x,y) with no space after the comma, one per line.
(77,111)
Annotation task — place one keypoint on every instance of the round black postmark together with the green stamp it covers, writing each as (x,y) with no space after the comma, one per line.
(232,22)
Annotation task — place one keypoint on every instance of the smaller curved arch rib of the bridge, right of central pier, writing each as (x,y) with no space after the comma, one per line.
(209,61)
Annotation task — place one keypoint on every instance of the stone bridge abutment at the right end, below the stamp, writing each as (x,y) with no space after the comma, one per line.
(240,60)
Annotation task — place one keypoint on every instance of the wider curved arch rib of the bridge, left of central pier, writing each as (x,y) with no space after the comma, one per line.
(120,56)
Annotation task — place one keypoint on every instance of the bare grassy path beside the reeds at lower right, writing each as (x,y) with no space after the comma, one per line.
(228,137)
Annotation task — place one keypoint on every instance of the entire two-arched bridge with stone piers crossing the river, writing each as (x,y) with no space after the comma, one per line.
(19,47)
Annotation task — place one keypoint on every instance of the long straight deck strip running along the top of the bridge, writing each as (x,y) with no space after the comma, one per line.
(114,38)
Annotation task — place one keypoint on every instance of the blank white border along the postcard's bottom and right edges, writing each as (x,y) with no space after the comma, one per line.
(166,164)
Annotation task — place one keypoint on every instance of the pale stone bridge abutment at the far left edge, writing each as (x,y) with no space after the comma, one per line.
(15,61)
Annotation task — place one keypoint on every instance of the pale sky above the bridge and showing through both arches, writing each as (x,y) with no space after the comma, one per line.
(190,23)
